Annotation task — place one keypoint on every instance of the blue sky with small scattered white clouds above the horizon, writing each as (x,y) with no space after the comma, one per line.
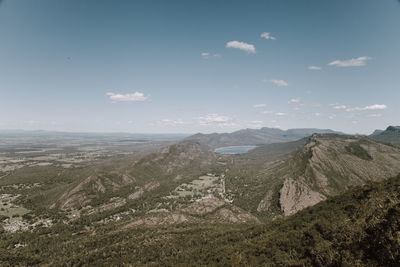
(199,66)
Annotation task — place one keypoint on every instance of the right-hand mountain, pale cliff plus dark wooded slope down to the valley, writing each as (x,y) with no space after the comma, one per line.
(325,165)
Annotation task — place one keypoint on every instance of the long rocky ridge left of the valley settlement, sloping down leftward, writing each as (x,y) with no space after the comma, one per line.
(158,171)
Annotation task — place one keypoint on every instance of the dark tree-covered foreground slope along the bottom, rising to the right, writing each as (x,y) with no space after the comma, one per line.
(358,228)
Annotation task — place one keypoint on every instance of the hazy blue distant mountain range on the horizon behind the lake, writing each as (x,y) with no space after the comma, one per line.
(256,136)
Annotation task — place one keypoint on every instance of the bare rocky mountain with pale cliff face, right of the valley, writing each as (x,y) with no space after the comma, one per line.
(332,165)
